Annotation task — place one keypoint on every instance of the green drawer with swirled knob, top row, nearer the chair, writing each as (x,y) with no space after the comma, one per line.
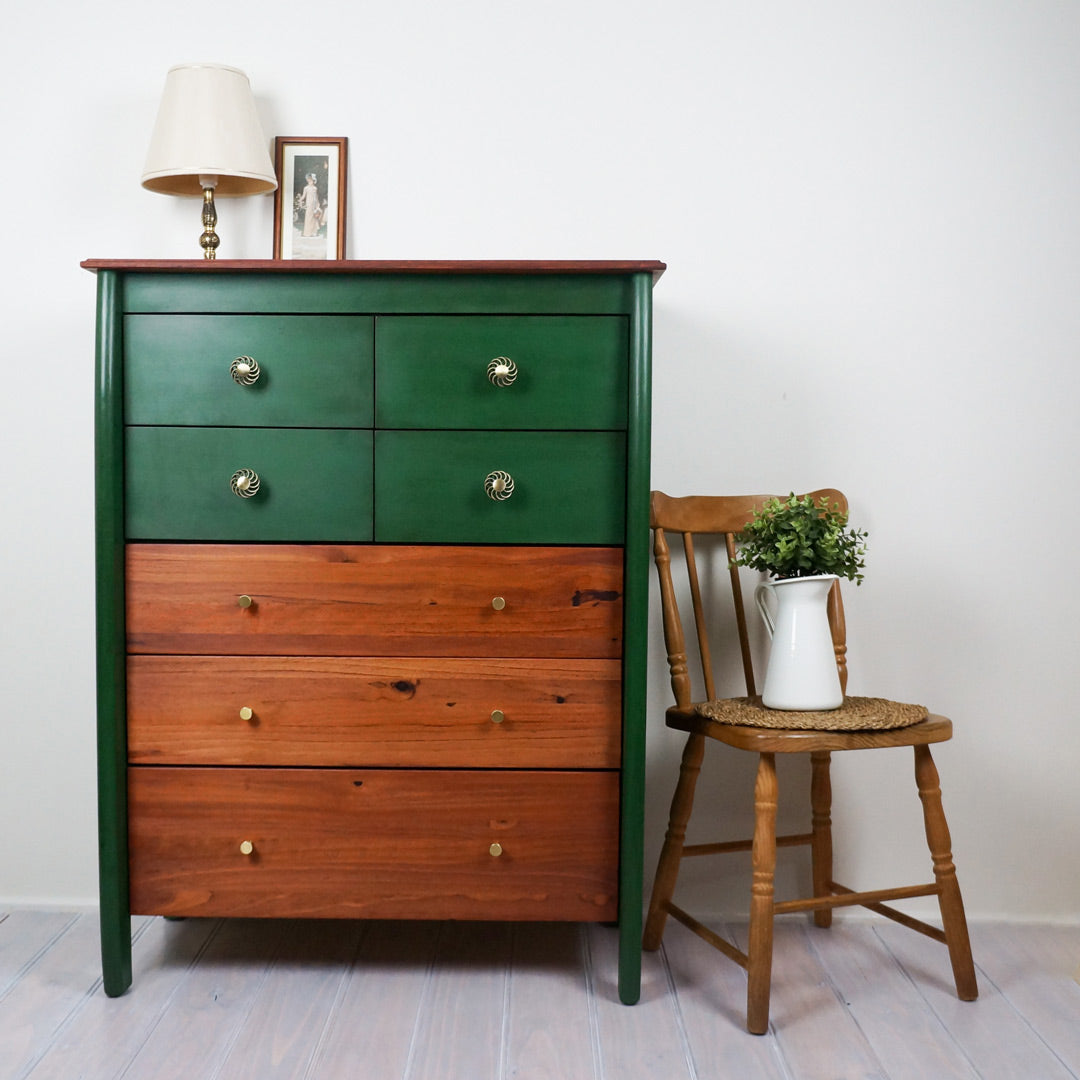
(571,372)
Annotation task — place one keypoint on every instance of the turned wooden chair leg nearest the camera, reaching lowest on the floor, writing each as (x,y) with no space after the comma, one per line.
(760,950)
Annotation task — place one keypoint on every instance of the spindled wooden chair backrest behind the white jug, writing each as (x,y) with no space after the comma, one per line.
(719,516)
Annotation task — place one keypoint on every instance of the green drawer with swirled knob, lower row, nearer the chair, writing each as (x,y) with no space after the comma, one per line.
(569,488)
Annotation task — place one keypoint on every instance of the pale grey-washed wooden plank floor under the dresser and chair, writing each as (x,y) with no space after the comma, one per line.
(469,1002)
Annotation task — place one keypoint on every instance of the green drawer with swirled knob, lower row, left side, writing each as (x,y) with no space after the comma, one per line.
(314,485)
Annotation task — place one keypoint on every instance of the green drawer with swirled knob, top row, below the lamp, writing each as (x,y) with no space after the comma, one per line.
(315,371)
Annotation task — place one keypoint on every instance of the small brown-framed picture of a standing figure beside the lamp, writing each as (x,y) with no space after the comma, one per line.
(309,205)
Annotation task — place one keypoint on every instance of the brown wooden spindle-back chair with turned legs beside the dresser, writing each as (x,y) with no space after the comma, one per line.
(727,517)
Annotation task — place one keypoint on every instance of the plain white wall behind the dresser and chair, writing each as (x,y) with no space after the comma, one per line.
(871,212)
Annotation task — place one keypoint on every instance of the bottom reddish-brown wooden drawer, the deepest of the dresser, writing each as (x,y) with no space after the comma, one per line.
(374,844)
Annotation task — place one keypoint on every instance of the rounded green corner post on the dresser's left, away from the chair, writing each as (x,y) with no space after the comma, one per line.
(112,698)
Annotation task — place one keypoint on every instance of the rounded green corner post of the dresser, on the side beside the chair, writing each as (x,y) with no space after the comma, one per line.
(636,640)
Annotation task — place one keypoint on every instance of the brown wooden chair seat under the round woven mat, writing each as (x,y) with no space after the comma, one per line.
(801,740)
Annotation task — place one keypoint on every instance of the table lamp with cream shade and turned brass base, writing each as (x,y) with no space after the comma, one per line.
(208,139)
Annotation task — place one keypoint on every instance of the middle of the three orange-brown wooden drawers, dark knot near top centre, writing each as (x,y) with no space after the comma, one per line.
(374,712)
